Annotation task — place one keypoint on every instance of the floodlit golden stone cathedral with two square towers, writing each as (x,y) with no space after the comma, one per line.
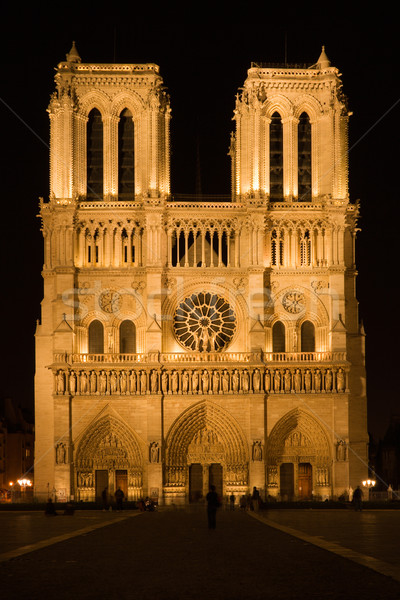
(194,341)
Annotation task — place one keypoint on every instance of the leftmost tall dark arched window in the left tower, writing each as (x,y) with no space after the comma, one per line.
(94,155)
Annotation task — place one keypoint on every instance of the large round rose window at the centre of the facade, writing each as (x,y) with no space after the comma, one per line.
(204,322)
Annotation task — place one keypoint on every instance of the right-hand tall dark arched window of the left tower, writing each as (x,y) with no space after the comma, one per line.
(126,155)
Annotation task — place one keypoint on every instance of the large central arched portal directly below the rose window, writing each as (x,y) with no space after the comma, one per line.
(205,435)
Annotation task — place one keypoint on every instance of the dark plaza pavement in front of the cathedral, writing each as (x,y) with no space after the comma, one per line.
(171,554)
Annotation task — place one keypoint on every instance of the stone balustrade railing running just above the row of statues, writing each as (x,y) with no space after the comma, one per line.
(191,357)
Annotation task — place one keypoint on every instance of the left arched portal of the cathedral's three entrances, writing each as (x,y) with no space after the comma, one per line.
(108,455)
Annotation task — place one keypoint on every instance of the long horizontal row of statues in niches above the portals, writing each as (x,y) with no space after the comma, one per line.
(128,382)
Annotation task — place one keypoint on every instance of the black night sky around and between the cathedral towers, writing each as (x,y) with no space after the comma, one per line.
(202,65)
